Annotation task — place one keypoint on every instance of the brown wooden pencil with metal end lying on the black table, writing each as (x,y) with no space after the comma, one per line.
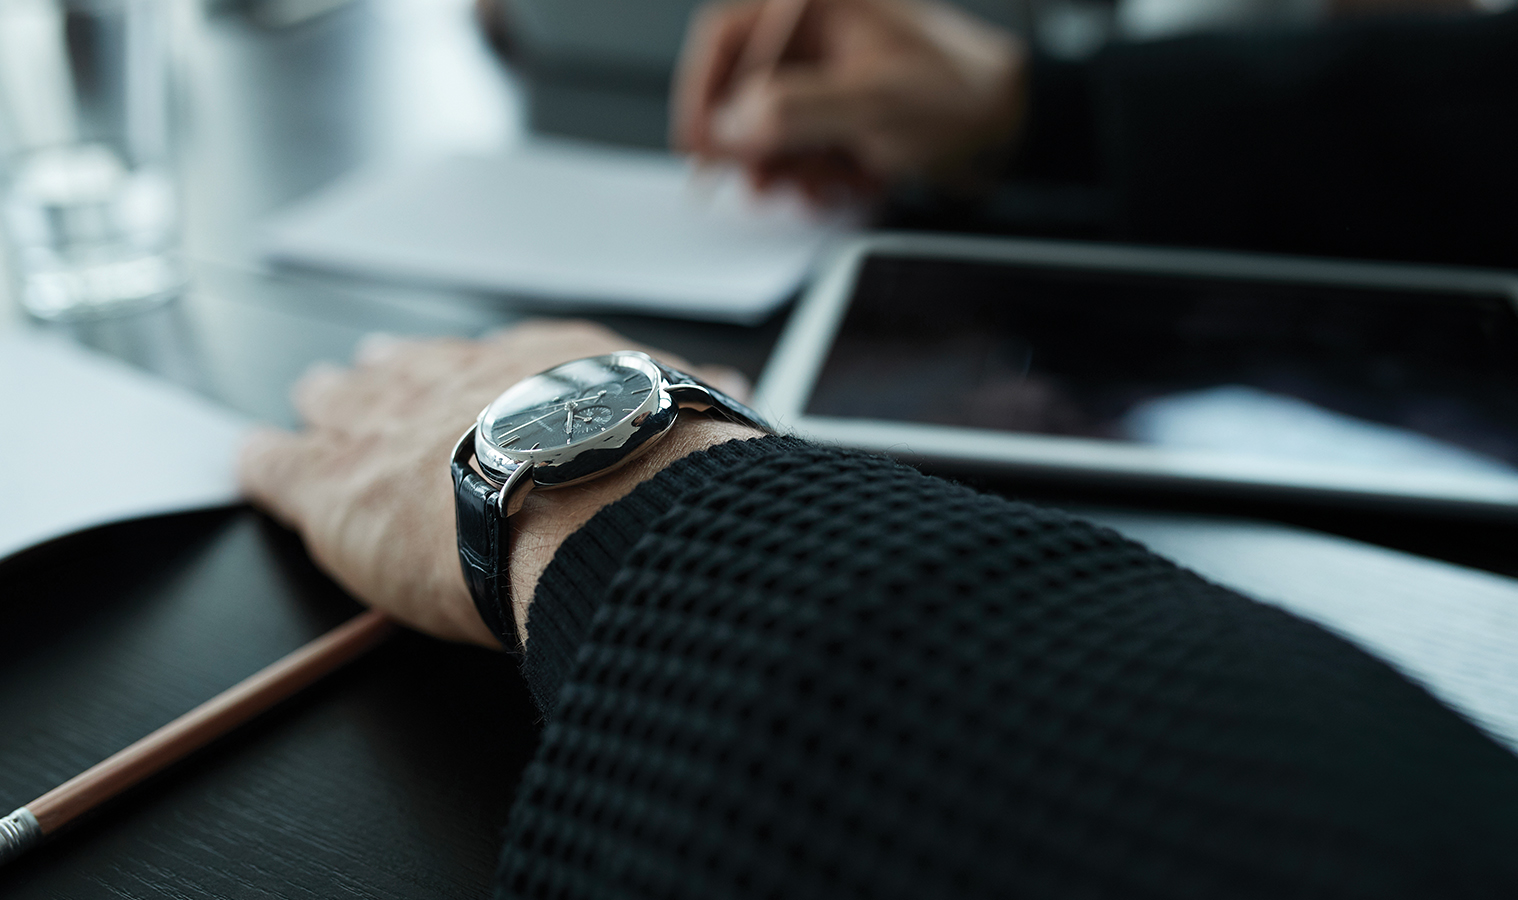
(248,699)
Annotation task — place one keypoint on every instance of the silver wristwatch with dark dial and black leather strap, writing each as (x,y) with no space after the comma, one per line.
(570,424)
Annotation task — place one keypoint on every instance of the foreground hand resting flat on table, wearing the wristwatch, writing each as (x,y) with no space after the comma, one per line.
(368,488)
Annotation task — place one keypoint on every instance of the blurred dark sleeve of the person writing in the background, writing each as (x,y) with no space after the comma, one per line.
(1390,139)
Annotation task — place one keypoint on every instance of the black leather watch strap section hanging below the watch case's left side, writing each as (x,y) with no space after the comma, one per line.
(482,552)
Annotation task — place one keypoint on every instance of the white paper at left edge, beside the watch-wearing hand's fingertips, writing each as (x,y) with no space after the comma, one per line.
(89,441)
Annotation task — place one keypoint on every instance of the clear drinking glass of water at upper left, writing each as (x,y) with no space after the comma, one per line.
(87,194)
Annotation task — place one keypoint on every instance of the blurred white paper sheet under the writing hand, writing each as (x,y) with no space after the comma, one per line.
(587,227)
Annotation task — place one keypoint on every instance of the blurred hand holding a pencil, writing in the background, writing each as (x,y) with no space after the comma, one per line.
(871,92)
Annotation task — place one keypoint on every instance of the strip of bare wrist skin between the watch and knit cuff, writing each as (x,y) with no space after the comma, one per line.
(550,517)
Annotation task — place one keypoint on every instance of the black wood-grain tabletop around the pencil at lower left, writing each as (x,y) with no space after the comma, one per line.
(388,781)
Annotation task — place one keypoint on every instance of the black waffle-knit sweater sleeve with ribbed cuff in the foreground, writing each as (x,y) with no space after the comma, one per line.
(792,672)
